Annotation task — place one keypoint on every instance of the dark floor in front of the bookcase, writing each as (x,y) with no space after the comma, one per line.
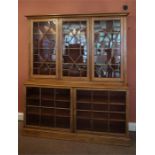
(43,146)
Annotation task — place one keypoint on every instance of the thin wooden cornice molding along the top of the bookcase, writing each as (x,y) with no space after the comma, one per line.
(79,15)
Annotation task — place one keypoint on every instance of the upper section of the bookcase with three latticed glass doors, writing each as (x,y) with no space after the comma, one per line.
(88,47)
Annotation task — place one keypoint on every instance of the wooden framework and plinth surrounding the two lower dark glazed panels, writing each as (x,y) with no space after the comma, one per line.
(101,137)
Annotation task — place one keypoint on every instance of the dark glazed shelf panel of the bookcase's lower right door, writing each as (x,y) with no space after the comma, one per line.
(101,111)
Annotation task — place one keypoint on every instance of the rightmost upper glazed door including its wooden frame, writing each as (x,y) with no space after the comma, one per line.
(108,48)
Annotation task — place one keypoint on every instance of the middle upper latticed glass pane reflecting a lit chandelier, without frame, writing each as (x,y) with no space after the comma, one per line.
(75,48)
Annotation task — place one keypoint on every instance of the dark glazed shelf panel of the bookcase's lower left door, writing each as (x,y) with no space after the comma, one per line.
(48,107)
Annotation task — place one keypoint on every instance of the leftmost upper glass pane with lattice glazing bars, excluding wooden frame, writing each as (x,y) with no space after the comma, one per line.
(44,48)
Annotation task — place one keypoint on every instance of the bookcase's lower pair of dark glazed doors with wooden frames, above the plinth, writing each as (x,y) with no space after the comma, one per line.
(96,112)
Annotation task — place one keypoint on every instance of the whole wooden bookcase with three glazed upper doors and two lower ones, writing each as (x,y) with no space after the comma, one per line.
(77,88)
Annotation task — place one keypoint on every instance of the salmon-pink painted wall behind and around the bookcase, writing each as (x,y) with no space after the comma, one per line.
(38,7)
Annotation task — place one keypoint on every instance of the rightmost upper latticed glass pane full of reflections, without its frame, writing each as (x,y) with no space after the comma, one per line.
(107,46)
